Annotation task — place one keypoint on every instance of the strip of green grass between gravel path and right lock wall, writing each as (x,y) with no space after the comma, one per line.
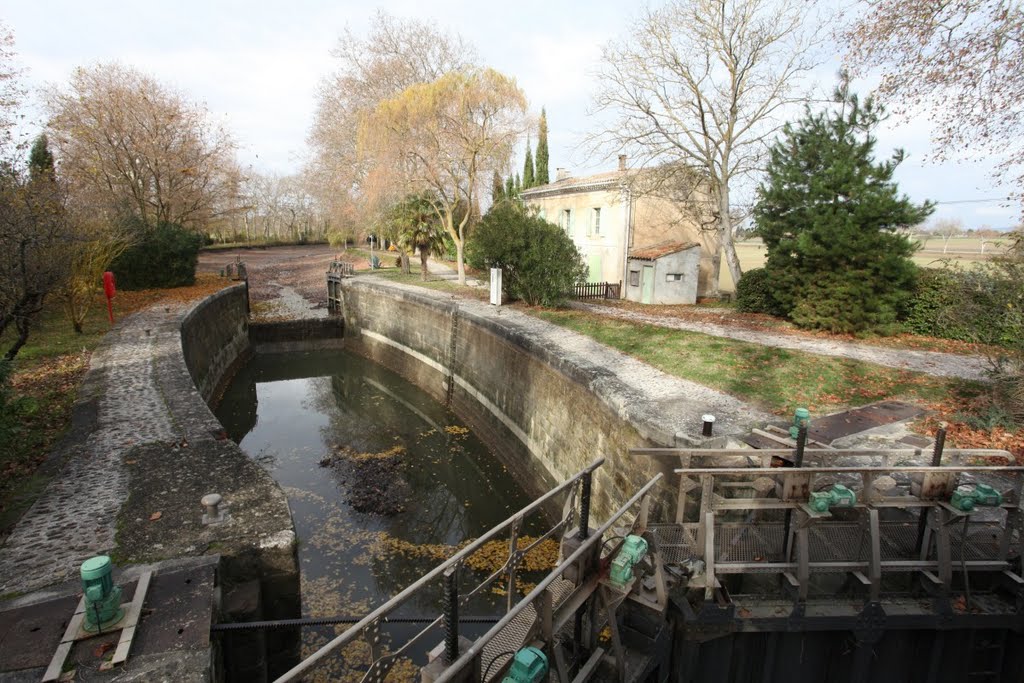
(779,380)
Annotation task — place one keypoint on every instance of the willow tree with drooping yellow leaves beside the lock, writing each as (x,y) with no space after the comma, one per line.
(446,139)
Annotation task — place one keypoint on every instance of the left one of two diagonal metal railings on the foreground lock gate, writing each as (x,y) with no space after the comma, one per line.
(443,581)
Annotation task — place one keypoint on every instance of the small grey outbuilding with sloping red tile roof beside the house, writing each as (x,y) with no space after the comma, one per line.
(665,274)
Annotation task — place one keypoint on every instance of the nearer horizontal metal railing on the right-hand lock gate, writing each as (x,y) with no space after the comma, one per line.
(866,546)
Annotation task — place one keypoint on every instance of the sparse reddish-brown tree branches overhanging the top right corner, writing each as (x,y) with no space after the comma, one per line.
(961,62)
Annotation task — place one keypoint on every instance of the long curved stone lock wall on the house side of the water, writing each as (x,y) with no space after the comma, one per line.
(548,402)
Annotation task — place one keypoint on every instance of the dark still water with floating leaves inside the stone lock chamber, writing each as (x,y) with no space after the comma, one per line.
(291,412)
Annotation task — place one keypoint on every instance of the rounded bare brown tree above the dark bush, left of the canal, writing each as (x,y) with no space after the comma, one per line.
(139,148)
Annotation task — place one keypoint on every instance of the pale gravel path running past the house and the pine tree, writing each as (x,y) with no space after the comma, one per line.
(931,363)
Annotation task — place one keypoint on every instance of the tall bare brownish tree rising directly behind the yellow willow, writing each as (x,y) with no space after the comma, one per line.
(397,55)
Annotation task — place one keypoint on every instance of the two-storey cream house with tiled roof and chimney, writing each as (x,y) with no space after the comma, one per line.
(609,223)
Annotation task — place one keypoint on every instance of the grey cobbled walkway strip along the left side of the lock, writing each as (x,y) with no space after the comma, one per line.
(74,519)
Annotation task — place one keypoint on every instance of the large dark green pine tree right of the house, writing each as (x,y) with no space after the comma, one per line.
(829,217)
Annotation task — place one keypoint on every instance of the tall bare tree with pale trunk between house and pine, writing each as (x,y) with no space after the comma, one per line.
(701,87)
